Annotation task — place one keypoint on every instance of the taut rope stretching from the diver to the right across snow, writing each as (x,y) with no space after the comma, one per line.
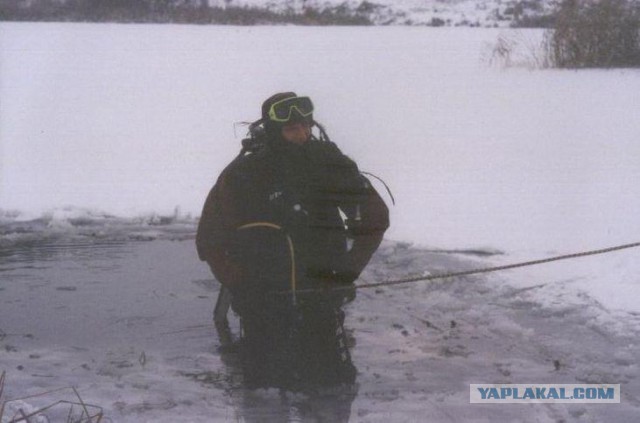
(411,279)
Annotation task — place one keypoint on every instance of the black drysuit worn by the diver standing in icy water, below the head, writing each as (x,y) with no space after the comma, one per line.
(291,217)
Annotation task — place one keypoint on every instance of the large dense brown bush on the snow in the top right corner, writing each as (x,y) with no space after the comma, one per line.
(595,34)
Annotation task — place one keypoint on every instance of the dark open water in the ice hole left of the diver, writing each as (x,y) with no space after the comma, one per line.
(110,300)
